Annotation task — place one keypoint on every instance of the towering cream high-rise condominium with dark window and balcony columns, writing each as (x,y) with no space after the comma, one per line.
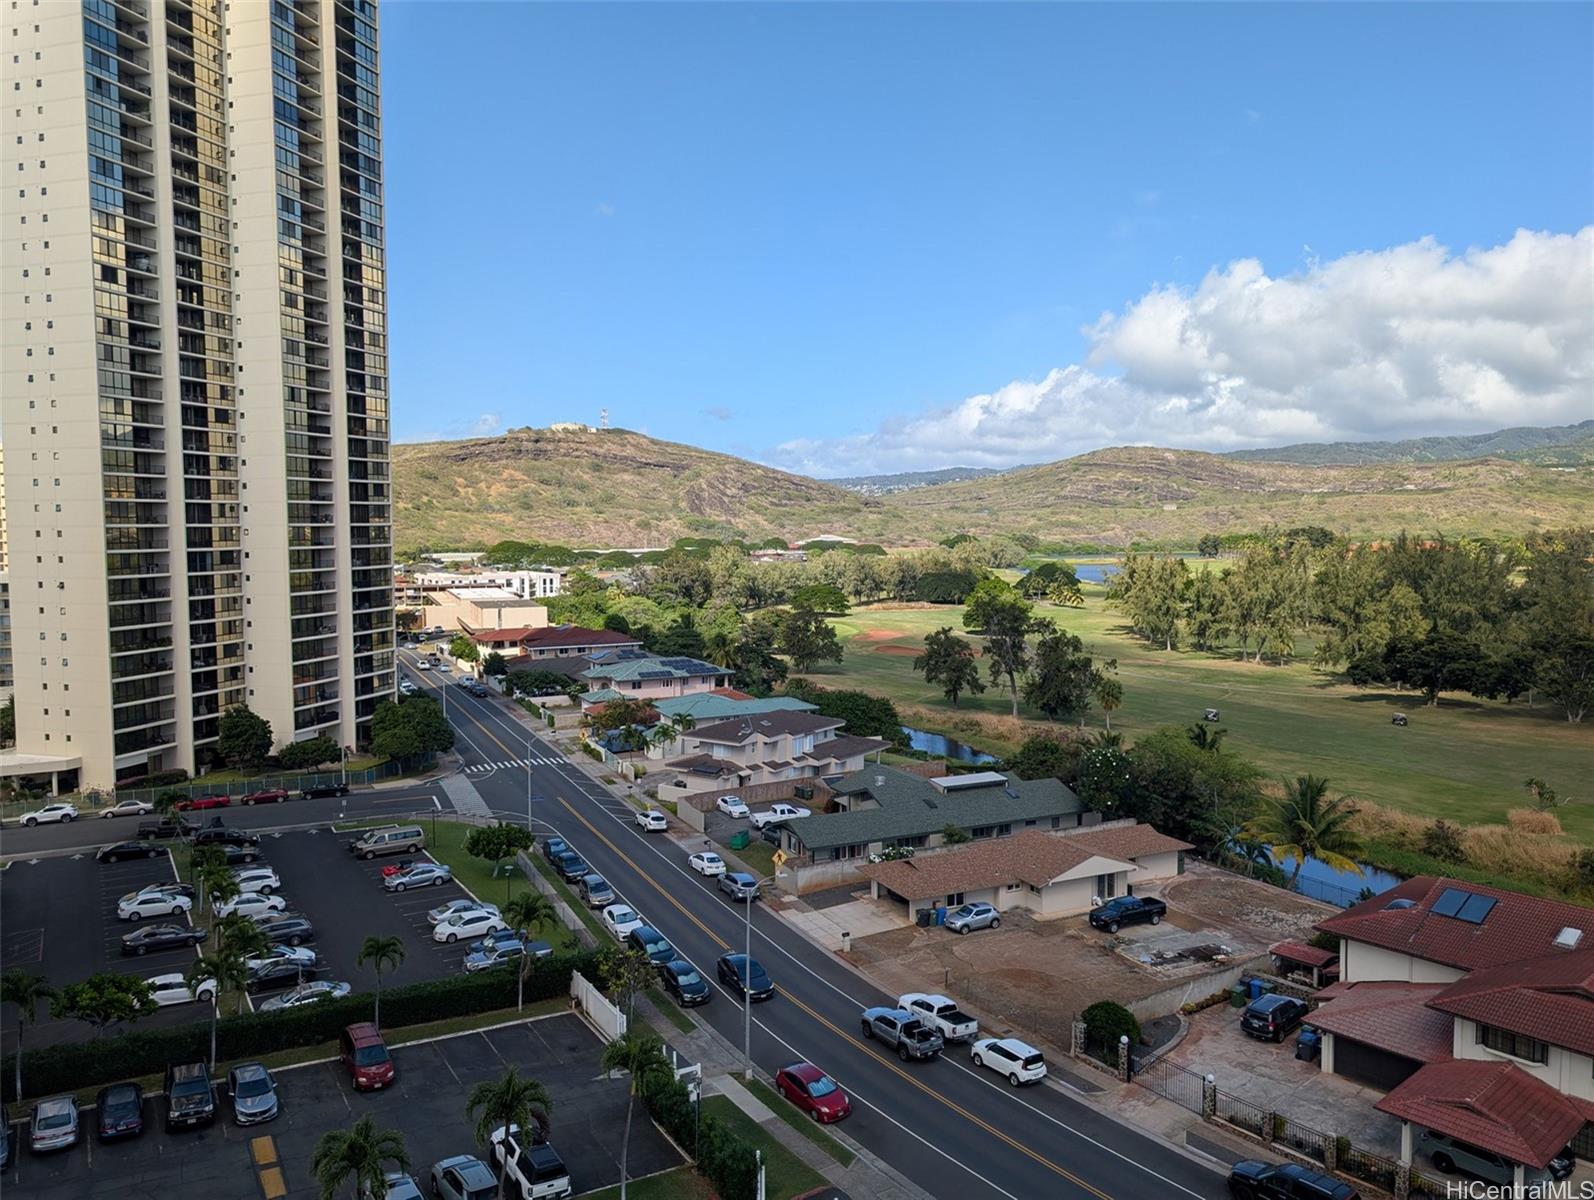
(195,390)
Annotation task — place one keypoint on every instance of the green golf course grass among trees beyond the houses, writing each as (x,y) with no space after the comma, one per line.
(1464,761)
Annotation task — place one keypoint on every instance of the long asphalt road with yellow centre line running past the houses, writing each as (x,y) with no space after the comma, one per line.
(952,1129)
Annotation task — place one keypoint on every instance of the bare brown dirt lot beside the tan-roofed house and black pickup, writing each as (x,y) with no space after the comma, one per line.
(1034,976)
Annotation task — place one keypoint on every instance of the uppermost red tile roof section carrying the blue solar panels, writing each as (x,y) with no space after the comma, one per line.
(1517,928)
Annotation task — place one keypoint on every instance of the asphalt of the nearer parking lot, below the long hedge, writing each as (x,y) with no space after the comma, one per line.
(426,1104)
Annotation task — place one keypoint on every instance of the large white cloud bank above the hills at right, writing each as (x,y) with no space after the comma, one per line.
(1396,343)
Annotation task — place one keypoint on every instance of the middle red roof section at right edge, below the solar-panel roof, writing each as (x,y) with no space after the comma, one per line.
(1549,998)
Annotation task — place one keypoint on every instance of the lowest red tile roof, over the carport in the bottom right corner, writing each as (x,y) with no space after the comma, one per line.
(1498,1107)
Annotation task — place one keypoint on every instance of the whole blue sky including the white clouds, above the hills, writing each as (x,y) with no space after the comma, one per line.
(855,238)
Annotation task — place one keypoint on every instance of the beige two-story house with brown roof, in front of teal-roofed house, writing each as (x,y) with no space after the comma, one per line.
(769,748)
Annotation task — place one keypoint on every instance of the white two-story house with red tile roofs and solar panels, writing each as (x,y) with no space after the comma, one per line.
(1475,1008)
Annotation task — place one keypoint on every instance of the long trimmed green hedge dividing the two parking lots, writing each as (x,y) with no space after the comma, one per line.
(147,1053)
